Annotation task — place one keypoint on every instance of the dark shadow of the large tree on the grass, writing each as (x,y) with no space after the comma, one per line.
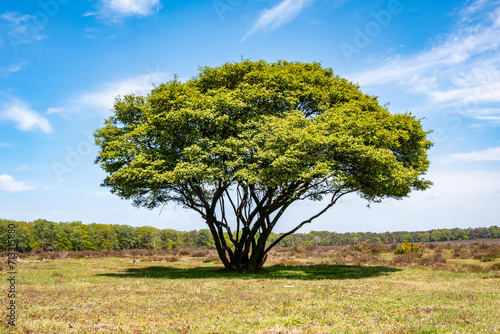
(312,272)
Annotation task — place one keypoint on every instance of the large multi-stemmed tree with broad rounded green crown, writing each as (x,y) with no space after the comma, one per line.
(240,143)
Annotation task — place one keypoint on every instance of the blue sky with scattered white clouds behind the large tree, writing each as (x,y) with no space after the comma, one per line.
(63,62)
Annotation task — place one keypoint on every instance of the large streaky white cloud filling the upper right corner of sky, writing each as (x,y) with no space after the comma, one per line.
(462,69)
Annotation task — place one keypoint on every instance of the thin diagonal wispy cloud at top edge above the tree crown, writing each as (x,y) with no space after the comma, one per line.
(284,12)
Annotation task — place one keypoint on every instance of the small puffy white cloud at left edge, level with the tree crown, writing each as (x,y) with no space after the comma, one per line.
(25,118)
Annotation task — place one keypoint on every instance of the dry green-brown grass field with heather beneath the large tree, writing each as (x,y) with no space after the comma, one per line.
(449,288)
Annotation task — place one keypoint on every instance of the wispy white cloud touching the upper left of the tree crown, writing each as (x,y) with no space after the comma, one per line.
(103,98)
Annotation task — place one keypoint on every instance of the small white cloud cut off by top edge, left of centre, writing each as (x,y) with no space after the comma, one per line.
(130,7)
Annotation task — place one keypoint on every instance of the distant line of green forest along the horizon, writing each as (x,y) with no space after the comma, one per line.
(77,236)
